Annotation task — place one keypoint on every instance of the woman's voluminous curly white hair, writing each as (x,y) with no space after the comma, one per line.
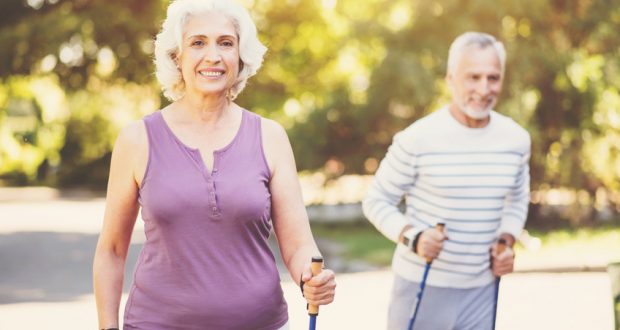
(168,43)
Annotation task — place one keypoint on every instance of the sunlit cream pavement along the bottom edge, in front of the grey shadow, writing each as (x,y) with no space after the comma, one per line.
(579,301)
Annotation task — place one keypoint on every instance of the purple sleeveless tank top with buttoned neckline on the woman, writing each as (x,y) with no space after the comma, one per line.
(206,263)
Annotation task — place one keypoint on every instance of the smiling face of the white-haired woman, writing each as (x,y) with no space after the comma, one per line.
(209,58)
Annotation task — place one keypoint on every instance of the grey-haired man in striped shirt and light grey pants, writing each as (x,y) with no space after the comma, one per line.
(466,166)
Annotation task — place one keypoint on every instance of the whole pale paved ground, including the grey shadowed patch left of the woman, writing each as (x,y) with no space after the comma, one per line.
(47,241)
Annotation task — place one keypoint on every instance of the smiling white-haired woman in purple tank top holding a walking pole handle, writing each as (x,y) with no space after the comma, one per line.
(209,175)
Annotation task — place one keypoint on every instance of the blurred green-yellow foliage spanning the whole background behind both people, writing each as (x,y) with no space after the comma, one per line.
(341,76)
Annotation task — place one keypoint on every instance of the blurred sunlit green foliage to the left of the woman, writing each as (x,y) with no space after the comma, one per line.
(52,133)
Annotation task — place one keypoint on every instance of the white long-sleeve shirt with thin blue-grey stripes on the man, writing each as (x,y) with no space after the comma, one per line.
(475,180)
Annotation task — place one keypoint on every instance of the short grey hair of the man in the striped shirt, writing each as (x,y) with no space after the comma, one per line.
(477,39)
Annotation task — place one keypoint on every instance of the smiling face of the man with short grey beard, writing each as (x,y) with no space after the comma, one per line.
(476,81)
